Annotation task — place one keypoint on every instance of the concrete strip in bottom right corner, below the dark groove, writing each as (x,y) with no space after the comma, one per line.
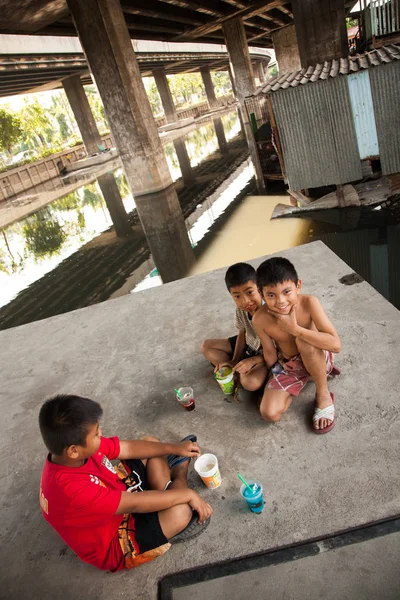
(367,570)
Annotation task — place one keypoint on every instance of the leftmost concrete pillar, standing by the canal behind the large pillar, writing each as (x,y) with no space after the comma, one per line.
(84,117)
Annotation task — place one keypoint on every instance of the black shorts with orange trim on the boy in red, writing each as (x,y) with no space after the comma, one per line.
(140,534)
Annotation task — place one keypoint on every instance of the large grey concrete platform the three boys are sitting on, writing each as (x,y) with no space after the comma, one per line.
(129,353)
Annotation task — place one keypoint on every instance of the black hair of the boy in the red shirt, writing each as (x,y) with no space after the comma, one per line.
(65,421)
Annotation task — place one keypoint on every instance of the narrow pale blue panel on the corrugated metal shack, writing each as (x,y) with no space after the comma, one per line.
(363,114)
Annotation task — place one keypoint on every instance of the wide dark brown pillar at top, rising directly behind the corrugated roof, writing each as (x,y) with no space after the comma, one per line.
(320,29)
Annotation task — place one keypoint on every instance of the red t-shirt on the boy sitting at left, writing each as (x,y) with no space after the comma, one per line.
(80,504)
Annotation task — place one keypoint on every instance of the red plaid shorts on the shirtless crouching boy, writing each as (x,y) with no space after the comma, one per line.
(291,375)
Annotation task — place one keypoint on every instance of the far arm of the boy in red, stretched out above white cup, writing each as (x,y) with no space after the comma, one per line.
(144,449)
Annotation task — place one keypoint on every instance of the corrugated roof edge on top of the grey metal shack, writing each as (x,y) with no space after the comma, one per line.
(332,68)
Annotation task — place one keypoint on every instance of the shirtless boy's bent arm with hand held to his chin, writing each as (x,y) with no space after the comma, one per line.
(326,338)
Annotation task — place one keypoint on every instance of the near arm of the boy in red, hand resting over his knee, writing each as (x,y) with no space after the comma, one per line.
(154,501)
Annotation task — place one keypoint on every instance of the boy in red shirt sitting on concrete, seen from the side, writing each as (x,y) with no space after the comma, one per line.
(115,517)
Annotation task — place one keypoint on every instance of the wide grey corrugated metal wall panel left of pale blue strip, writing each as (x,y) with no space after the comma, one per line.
(317,132)
